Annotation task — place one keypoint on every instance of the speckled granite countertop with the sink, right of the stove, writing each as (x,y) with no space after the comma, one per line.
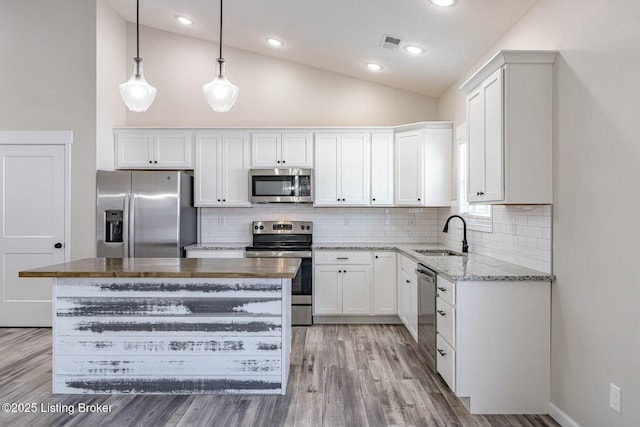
(470,267)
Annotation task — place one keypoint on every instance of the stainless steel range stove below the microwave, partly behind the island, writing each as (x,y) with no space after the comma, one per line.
(288,239)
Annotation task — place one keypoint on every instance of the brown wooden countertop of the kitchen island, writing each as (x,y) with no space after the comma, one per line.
(171,268)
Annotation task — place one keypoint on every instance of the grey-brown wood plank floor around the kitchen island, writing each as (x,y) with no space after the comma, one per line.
(341,375)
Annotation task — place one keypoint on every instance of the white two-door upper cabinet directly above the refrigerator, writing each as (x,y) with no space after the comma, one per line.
(153,149)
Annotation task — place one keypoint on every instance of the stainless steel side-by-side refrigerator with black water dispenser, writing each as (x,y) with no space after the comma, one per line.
(145,214)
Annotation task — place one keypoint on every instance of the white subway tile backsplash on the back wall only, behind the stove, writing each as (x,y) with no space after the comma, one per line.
(331,225)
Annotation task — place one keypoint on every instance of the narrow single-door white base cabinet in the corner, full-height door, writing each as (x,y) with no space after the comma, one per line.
(384,283)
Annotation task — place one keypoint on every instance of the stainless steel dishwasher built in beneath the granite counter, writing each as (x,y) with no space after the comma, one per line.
(426,315)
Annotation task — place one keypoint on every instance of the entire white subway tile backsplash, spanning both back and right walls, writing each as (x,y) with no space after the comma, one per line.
(521,234)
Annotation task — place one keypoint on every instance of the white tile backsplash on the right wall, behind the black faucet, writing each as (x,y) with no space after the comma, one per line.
(521,235)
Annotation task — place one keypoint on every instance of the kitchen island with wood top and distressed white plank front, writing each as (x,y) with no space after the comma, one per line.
(171,325)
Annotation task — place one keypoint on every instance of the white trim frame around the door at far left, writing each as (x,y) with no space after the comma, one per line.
(64,138)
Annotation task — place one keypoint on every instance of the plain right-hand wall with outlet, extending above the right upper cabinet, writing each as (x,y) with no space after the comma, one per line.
(595,316)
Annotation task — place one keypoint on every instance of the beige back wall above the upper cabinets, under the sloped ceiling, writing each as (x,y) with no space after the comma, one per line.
(273,92)
